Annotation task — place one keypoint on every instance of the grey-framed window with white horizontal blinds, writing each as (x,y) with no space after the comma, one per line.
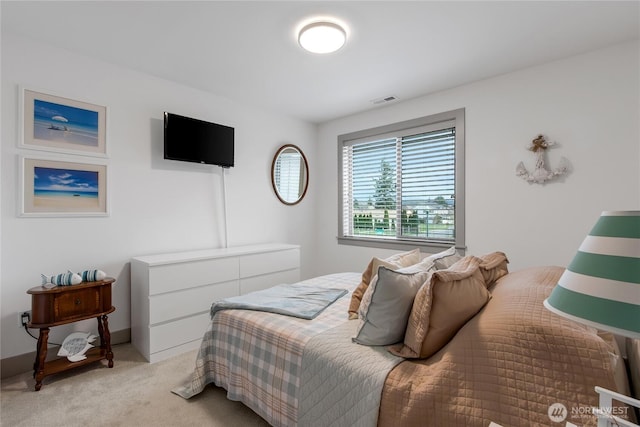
(403,184)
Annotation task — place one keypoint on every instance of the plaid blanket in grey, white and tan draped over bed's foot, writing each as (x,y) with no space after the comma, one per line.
(257,356)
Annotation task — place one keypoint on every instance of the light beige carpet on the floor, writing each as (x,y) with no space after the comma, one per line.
(132,393)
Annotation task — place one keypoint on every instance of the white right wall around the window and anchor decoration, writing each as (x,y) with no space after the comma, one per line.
(588,104)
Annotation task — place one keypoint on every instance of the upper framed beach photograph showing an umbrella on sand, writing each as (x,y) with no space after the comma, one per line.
(63,125)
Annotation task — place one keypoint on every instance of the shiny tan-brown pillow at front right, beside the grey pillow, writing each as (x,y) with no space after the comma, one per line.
(441,307)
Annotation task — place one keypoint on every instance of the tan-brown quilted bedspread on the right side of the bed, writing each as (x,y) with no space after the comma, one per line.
(508,364)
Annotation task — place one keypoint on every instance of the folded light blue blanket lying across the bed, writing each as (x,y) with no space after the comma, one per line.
(297,300)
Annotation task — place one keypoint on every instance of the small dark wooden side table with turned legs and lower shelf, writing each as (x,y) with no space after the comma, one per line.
(67,304)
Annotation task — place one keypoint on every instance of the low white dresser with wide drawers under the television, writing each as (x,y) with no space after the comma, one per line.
(171,294)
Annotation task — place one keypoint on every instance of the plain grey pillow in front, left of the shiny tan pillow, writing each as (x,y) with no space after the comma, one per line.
(386,306)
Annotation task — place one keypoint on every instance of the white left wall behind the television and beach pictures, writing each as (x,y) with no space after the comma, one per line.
(156,205)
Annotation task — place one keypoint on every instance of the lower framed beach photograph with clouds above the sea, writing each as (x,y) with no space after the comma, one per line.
(62,188)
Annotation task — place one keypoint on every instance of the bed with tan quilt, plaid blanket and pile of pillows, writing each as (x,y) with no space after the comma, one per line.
(507,360)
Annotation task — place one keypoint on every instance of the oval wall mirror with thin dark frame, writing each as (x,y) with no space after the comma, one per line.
(289,174)
